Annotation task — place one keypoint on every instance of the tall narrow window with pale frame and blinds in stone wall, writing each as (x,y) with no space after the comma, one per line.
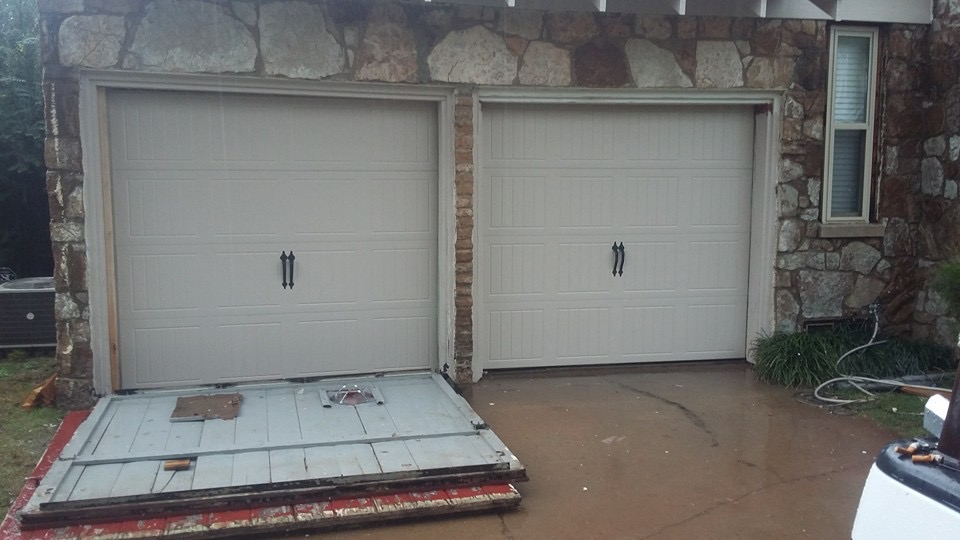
(850,123)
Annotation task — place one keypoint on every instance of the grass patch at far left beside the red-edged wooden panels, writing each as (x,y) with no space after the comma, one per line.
(23,434)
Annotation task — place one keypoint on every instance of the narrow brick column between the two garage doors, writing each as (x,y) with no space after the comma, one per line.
(463,299)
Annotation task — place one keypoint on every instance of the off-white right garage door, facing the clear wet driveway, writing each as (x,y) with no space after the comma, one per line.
(562,185)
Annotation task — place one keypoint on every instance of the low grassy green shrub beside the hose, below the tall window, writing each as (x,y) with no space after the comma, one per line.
(810,358)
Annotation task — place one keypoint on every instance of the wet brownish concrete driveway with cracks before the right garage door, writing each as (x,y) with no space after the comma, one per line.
(699,451)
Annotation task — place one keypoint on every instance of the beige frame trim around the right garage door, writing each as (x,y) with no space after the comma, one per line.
(768,107)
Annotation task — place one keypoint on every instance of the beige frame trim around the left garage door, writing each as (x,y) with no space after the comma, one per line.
(98,221)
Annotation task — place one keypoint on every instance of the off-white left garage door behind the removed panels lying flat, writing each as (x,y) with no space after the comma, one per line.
(210,190)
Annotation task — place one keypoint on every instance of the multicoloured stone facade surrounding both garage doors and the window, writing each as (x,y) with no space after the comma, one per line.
(918,140)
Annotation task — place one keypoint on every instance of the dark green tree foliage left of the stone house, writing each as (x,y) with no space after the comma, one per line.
(24,214)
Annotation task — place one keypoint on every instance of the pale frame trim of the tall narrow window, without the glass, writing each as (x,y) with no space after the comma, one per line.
(868,126)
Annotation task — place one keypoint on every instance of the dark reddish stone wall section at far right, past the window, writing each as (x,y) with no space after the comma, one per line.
(923,129)
